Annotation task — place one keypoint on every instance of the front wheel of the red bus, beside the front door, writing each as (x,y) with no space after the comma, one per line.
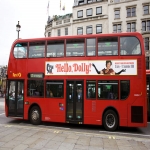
(35,115)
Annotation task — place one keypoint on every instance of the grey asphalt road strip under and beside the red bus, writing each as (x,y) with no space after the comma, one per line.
(137,132)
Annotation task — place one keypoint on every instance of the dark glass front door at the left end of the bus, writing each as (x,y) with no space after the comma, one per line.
(15,98)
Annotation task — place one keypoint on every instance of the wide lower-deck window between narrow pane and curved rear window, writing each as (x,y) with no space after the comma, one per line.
(108,90)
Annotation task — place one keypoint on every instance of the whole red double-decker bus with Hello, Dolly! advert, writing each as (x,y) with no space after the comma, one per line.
(89,79)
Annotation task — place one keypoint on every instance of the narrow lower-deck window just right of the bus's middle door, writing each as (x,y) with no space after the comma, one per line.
(91,89)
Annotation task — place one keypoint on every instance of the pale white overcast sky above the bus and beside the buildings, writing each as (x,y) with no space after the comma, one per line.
(32,15)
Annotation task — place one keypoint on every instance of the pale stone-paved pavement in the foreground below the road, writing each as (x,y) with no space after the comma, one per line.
(29,137)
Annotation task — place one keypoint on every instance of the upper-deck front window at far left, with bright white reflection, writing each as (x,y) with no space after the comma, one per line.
(20,50)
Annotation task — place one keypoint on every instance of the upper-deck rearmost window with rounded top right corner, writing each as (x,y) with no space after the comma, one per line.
(129,46)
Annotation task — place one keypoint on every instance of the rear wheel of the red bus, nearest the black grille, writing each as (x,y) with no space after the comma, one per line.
(110,120)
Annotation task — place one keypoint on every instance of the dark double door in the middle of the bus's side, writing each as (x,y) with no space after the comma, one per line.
(74,102)
